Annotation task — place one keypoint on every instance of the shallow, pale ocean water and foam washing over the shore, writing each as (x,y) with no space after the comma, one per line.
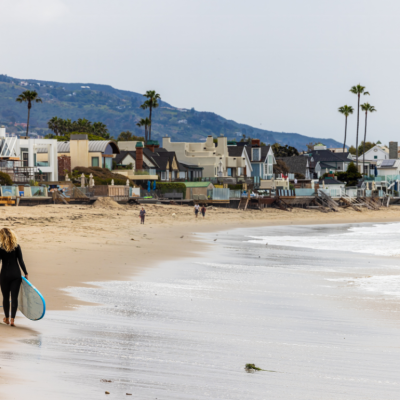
(305,304)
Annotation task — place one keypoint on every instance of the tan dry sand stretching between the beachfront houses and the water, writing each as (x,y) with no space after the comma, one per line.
(67,246)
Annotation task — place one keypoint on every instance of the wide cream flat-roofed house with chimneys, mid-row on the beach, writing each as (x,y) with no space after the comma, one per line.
(215,159)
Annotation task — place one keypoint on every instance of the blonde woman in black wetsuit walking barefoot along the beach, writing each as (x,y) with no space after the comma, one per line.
(10,276)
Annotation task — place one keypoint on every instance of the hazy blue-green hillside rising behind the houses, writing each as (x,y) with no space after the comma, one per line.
(120,110)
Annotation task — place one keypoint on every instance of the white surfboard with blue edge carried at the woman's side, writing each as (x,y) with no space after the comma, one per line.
(30,301)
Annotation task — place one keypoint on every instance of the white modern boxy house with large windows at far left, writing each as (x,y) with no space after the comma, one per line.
(20,157)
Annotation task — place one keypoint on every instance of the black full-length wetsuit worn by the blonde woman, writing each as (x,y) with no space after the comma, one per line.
(10,278)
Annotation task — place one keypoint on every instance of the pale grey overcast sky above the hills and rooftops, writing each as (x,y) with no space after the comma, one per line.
(280,65)
